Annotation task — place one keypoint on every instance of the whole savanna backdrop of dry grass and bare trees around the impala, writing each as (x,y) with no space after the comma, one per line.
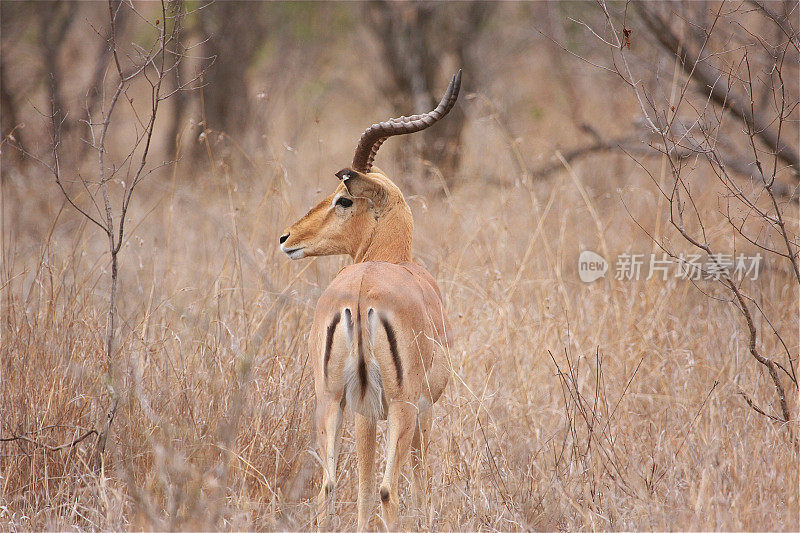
(649,404)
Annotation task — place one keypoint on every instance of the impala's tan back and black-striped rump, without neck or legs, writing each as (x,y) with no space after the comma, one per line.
(379,335)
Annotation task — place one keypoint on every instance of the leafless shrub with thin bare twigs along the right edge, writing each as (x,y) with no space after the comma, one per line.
(720,115)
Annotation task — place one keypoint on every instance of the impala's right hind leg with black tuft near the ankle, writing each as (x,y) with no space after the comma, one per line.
(402,422)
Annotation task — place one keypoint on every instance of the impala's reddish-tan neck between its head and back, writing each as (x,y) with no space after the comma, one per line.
(390,238)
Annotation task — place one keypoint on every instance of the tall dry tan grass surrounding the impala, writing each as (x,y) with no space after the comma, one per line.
(612,405)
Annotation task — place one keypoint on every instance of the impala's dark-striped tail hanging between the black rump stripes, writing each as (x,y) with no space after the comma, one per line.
(362,373)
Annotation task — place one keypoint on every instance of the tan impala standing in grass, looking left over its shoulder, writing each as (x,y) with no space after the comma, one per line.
(379,334)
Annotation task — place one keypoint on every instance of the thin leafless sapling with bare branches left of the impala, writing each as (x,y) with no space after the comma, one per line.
(140,65)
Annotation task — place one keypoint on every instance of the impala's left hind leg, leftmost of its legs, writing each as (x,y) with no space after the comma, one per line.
(329,428)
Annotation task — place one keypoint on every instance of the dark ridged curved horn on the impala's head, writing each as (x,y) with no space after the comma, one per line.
(372,139)
